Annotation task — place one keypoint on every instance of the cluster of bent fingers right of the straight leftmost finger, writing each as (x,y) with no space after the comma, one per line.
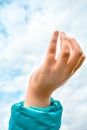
(71,56)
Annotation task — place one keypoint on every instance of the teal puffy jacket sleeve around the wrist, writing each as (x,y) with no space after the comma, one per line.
(48,118)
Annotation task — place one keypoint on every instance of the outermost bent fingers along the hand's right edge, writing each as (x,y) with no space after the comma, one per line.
(76,56)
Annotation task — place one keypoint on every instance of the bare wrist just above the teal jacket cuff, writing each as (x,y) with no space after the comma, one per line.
(35,99)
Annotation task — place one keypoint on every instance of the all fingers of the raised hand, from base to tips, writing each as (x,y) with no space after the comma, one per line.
(71,56)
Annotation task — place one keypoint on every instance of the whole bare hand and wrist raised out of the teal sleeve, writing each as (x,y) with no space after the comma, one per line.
(54,72)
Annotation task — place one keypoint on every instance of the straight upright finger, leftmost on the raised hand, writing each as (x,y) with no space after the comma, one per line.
(52,48)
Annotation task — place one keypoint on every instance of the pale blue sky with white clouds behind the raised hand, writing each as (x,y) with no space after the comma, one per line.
(26,27)
